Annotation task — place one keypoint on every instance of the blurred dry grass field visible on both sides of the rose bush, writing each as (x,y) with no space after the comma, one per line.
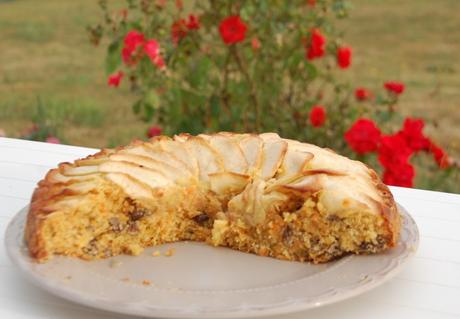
(51,74)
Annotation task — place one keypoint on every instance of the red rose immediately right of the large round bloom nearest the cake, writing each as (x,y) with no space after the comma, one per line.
(393,151)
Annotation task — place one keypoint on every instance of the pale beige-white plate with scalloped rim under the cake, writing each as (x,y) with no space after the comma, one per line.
(203,281)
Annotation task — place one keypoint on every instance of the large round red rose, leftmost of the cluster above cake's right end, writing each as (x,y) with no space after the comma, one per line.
(363,136)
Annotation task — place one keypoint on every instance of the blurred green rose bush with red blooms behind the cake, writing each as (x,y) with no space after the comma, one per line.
(253,66)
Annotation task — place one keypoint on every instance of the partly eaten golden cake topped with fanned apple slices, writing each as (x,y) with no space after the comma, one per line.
(260,194)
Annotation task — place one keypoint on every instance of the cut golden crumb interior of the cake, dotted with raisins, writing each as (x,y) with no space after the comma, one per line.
(107,222)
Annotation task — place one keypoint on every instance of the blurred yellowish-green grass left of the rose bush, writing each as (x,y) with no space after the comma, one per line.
(46,53)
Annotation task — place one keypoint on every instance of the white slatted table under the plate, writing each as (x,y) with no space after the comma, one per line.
(428,287)
